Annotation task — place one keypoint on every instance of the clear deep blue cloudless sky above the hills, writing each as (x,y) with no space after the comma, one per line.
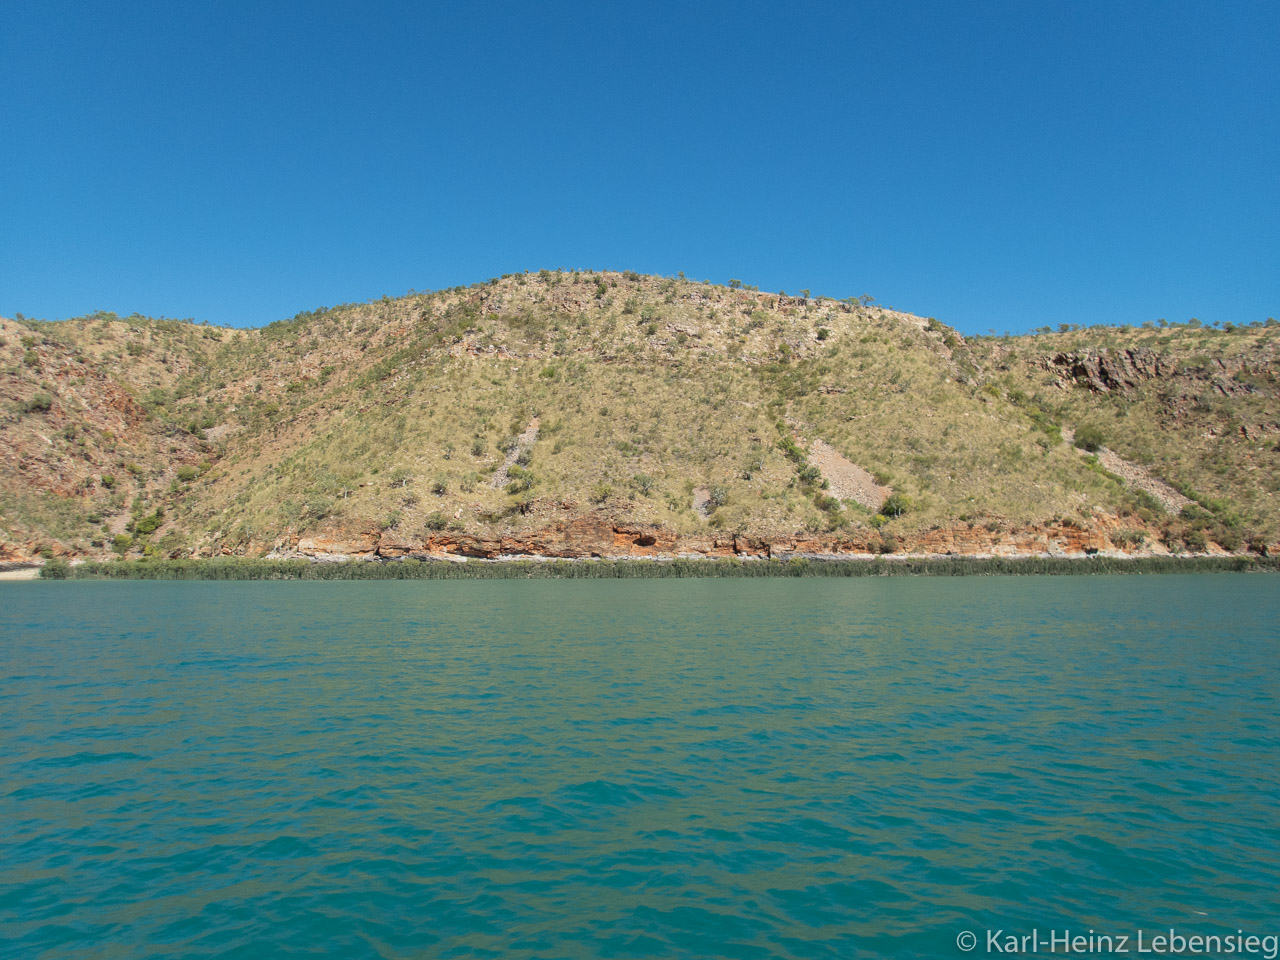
(999,166)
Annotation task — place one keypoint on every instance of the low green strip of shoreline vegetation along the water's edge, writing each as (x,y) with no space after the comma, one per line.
(240,569)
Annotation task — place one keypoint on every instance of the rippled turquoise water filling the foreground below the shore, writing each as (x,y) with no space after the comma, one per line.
(781,769)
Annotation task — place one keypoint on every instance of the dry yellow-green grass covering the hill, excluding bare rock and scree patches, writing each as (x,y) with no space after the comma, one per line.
(396,415)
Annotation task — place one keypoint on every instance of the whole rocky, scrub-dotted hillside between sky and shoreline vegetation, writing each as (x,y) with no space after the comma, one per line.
(578,414)
